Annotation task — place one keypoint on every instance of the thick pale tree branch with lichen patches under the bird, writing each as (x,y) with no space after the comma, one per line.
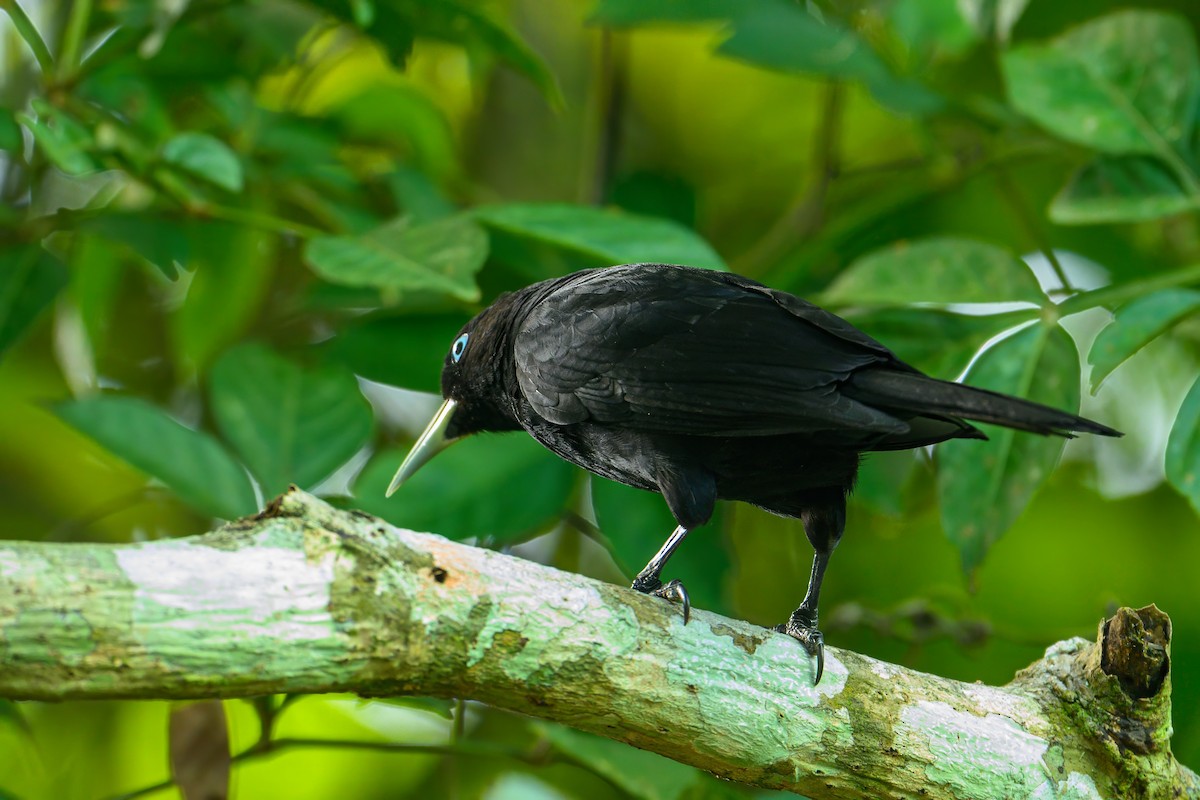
(308,599)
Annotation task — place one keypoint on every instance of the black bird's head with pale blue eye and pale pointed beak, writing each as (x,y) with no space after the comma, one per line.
(478,396)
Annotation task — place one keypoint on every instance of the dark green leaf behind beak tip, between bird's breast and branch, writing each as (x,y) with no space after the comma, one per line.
(500,488)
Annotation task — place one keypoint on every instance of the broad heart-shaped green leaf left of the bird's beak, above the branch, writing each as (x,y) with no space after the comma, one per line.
(290,425)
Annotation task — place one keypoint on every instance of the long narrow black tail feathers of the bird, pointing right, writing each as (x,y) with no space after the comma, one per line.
(923,395)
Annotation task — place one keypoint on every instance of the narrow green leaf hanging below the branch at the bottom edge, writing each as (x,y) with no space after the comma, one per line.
(643,774)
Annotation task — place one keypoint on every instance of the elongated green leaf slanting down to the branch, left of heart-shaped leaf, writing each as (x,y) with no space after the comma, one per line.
(189,462)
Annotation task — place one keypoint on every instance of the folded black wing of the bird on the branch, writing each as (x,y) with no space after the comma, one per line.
(682,351)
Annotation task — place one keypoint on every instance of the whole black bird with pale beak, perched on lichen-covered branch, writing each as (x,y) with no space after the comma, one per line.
(705,386)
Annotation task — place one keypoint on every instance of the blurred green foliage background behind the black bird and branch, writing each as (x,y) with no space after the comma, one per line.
(214,214)
